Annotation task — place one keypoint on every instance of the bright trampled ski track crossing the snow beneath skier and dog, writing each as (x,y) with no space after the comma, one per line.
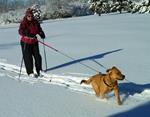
(129,95)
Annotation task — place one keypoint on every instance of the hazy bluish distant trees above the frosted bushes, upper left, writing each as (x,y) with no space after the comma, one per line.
(7,5)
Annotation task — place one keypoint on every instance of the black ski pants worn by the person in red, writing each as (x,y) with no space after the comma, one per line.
(31,54)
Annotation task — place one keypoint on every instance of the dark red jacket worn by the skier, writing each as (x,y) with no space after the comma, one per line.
(29,29)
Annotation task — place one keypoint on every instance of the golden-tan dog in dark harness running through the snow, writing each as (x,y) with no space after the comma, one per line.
(104,83)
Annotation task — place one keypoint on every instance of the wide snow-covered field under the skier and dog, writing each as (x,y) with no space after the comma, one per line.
(58,92)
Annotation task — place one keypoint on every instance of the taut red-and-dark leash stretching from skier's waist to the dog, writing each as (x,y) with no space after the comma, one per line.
(67,56)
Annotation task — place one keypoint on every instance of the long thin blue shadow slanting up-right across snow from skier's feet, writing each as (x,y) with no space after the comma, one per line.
(98,56)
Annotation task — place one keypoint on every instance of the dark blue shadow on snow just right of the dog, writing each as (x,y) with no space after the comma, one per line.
(131,89)
